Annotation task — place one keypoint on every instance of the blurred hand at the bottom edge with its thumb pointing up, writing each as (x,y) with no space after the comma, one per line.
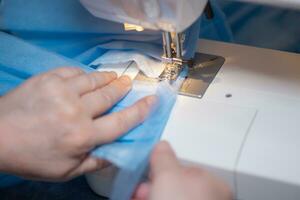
(170,180)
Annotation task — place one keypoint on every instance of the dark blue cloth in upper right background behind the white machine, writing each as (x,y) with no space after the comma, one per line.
(253,24)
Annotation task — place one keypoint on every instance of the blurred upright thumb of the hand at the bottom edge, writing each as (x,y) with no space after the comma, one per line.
(163,160)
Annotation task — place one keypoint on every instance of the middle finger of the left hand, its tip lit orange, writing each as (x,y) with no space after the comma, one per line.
(101,100)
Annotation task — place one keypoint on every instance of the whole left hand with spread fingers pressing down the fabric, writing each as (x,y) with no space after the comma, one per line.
(51,122)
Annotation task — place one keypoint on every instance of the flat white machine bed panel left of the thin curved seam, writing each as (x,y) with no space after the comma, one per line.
(207,132)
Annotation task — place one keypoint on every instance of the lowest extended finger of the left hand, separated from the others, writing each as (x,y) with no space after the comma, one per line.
(114,125)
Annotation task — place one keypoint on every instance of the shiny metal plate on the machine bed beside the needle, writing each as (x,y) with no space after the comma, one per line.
(201,74)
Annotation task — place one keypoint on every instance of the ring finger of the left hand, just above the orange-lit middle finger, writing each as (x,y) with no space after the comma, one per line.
(89,82)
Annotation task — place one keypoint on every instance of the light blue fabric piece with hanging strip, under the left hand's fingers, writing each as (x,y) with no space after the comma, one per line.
(131,152)
